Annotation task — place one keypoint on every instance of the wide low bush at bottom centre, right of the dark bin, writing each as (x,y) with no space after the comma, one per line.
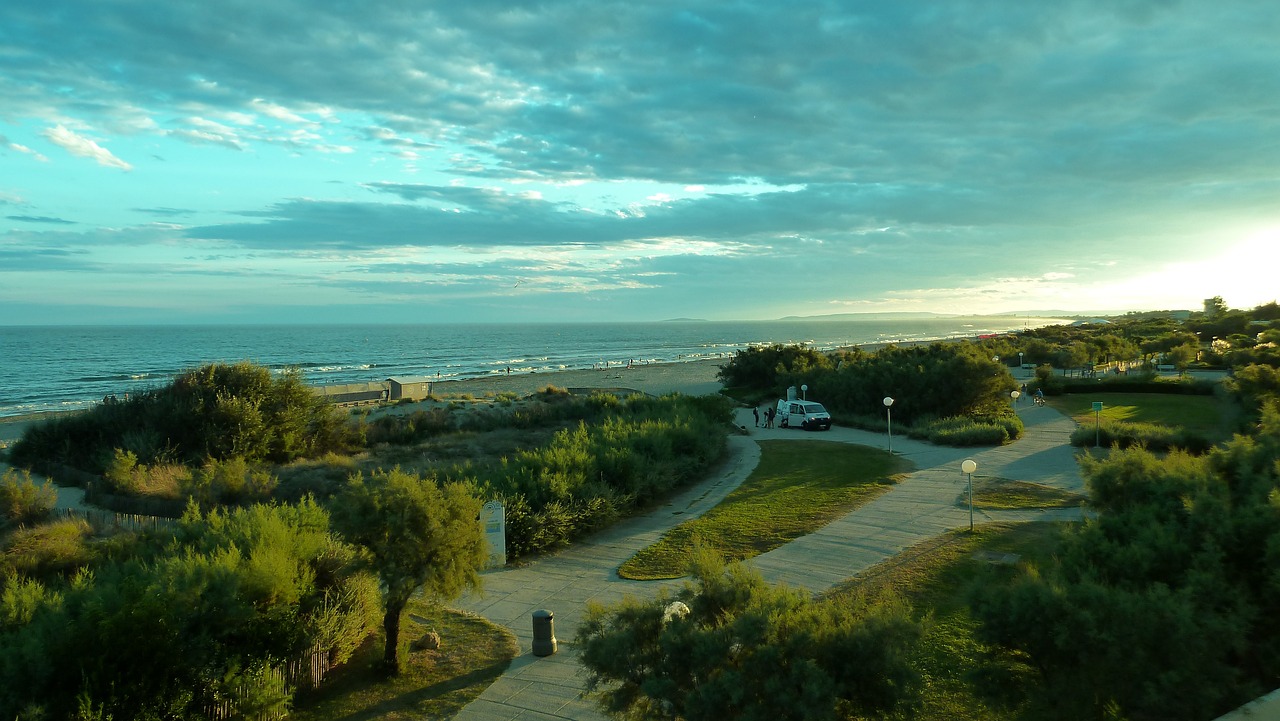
(730,646)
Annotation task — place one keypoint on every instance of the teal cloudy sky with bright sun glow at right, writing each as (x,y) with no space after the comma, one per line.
(604,161)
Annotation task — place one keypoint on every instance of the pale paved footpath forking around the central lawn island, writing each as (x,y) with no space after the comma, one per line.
(925,505)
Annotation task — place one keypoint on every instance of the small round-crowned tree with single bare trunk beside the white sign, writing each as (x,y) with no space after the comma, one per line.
(419,536)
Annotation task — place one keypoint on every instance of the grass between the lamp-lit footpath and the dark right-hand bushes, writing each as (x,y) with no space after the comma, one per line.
(962,678)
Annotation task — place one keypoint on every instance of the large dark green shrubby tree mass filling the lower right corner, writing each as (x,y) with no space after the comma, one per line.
(1162,605)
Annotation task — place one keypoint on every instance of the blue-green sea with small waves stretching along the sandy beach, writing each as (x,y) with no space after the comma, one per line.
(67,368)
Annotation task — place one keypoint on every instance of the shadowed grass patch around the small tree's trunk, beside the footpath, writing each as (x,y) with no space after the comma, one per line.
(435,685)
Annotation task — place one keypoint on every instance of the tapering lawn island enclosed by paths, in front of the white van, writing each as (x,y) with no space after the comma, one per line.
(798,487)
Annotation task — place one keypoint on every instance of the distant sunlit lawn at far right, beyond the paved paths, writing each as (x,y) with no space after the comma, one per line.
(1206,416)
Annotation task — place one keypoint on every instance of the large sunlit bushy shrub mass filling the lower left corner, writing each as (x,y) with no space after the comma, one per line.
(175,628)
